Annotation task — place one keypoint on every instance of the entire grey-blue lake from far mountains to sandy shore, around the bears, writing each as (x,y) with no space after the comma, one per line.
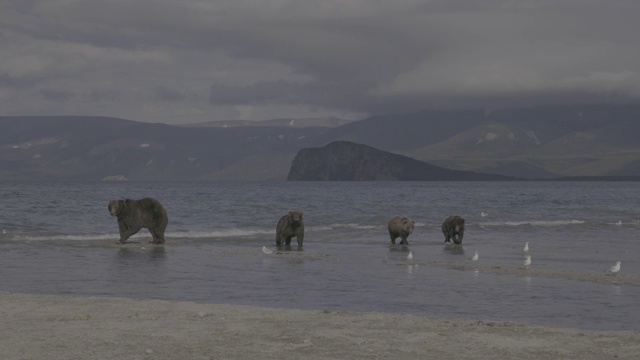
(58,238)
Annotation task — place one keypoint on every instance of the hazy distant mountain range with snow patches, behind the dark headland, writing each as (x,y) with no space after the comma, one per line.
(537,143)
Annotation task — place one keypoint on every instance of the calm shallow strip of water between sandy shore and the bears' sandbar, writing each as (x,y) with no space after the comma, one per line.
(328,276)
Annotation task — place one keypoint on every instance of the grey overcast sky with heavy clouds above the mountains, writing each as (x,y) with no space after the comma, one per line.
(180,61)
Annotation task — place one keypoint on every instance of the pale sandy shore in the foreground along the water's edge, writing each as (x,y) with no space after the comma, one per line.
(64,327)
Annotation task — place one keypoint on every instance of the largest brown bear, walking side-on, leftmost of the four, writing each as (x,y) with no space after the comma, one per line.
(136,214)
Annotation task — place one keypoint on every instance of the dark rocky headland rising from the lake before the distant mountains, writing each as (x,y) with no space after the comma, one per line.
(347,161)
